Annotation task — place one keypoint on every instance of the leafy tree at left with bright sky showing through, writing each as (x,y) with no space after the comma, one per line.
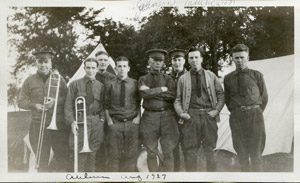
(32,28)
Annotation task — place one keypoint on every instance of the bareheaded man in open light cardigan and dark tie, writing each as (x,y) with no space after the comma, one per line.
(200,98)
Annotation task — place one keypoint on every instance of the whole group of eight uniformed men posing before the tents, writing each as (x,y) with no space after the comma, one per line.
(181,109)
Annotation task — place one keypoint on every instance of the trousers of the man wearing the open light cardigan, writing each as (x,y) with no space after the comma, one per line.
(200,130)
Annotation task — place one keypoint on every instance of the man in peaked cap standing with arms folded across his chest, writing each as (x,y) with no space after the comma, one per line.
(158,121)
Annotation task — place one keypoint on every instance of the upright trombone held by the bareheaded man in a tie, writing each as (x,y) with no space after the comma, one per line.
(80,118)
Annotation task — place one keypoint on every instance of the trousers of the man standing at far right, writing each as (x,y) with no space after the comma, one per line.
(248,137)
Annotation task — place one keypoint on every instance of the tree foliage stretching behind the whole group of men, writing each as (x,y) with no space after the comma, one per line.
(73,32)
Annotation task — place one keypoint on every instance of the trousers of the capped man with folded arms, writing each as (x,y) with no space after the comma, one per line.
(159,126)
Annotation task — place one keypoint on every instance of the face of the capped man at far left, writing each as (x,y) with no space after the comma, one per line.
(44,63)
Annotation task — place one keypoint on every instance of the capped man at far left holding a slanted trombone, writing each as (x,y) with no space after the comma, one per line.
(44,94)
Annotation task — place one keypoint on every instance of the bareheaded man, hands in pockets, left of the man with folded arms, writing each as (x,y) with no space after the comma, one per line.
(122,110)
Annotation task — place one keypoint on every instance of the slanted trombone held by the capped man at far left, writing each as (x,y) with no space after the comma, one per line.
(54,82)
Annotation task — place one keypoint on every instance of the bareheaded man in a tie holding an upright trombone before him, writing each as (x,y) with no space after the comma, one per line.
(85,115)
